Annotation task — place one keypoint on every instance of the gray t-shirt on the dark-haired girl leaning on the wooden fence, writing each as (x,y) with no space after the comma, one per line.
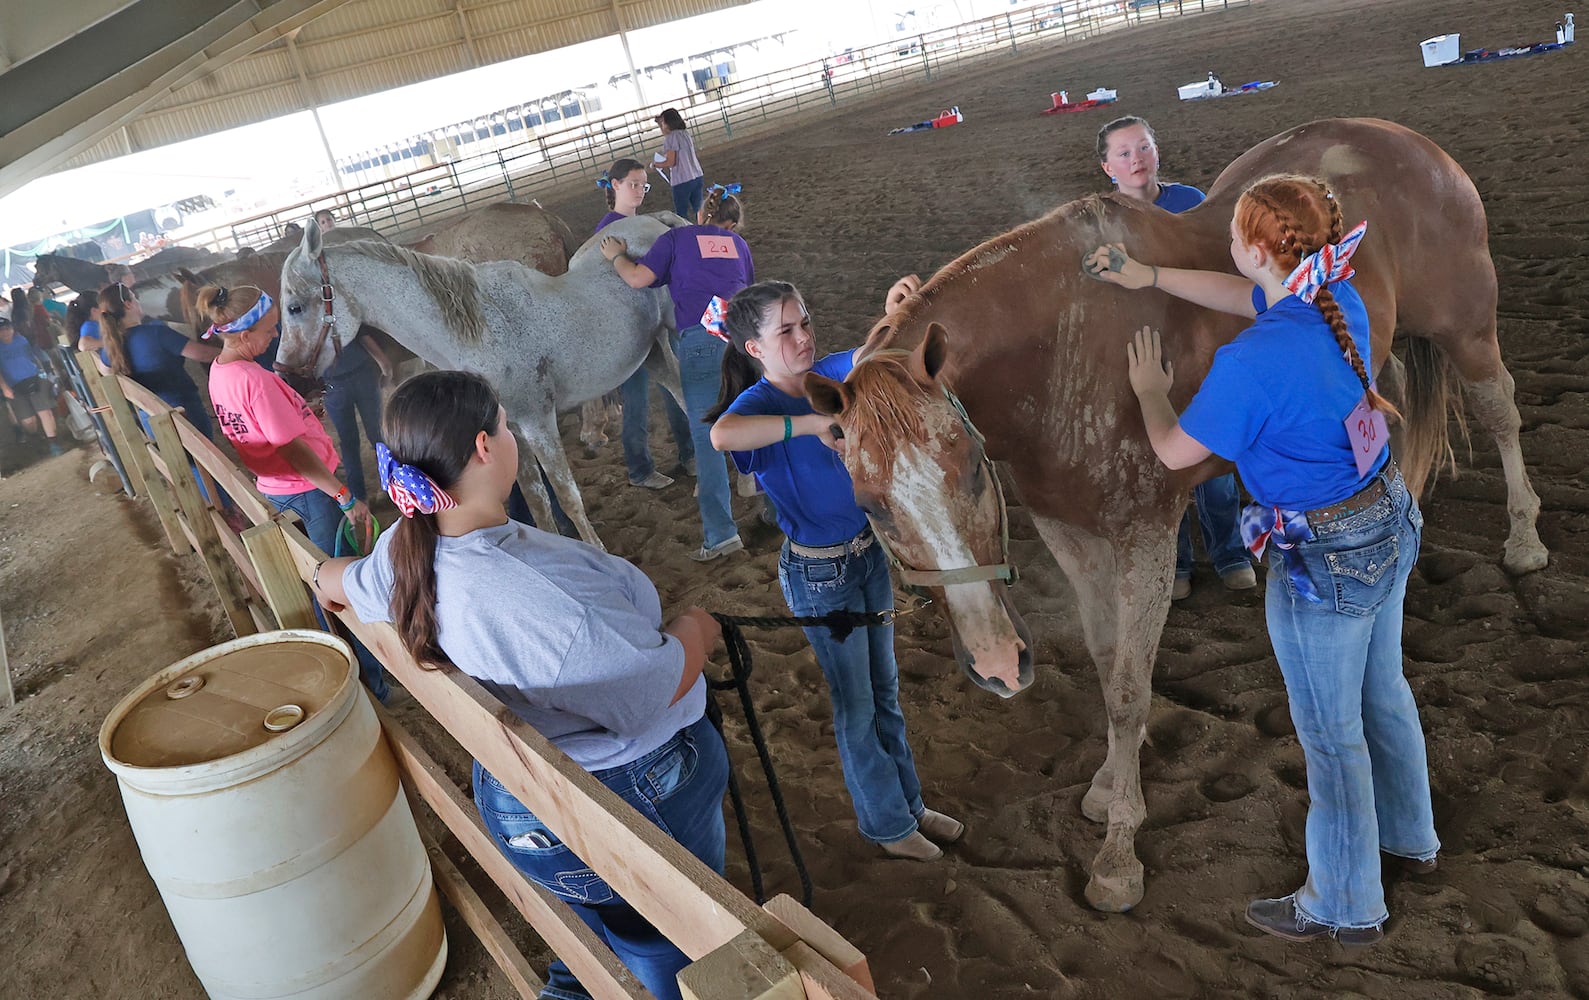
(566,637)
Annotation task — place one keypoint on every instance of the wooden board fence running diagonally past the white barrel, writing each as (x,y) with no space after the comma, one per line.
(740,952)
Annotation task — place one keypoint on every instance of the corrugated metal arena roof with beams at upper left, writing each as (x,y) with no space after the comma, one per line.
(91,80)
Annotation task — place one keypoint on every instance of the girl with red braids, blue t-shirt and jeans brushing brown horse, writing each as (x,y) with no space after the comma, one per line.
(1291,403)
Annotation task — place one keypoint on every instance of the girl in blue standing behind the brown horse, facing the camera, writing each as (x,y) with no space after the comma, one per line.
(1129,153)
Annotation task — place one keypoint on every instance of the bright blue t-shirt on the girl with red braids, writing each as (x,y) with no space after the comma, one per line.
(1277,400)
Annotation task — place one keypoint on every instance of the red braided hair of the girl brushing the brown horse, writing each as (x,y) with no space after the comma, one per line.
(1293,217)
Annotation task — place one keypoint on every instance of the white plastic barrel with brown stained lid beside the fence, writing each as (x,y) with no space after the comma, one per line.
(269,813)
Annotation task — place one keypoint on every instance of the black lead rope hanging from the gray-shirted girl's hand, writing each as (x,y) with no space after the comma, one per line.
(740,662)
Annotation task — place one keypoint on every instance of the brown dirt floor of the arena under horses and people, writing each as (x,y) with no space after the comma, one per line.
(93,602)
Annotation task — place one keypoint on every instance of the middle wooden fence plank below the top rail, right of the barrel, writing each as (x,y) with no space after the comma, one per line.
(589,956)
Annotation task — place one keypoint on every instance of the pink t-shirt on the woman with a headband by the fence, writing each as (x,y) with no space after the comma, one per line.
(260,413)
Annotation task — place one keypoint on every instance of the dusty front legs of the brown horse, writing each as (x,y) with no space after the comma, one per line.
(1123,597)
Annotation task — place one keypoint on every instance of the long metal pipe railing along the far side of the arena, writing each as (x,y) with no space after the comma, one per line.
(527,163)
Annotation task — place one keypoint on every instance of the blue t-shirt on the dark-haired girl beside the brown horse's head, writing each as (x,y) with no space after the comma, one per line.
(805,478)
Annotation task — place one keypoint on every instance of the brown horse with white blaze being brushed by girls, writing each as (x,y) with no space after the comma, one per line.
(1038,357)
